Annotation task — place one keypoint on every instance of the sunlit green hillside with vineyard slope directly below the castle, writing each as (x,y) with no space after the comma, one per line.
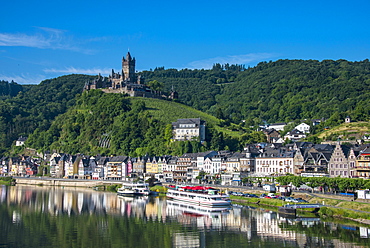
(109,124)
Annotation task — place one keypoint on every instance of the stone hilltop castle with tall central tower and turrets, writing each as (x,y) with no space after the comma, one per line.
(127,82)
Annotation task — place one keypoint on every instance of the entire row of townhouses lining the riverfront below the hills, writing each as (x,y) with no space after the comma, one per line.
(258,160)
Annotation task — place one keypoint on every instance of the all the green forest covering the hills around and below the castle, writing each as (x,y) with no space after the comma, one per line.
(56,115)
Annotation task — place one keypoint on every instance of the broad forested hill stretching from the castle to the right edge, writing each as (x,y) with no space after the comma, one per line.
(275,91)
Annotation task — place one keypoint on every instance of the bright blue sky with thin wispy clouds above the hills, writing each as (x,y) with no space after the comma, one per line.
(46,39)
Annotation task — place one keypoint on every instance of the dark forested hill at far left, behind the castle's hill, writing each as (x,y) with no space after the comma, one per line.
(23,111)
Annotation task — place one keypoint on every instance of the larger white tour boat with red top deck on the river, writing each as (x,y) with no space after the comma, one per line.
(199,195)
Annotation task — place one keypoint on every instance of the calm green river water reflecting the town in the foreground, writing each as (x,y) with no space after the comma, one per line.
(36,216)
